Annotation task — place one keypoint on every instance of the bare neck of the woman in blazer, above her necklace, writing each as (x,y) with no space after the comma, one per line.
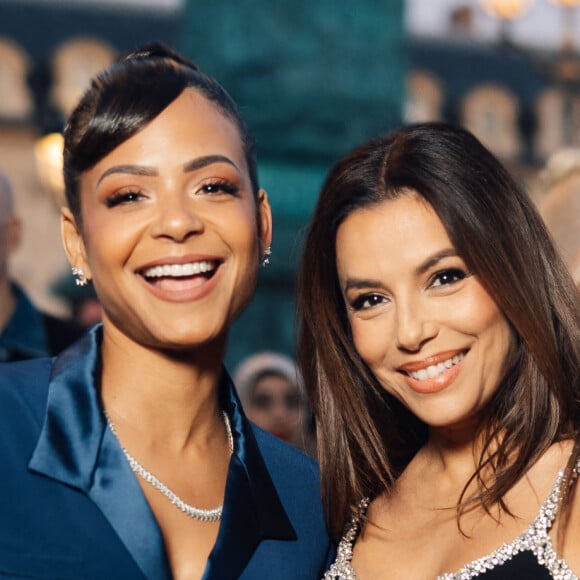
(166,396)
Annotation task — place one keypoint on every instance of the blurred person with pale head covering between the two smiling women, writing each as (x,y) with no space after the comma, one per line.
(272,394)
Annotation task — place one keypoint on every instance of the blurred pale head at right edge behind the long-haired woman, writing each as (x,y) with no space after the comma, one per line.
(560,205)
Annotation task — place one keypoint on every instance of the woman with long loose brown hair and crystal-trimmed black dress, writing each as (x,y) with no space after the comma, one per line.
(439,344)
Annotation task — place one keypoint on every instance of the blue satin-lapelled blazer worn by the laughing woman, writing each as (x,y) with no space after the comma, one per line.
(71,508)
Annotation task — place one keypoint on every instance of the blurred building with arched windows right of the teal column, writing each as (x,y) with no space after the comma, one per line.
(522,102)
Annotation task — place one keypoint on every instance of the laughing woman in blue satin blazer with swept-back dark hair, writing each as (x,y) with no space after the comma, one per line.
(129,456)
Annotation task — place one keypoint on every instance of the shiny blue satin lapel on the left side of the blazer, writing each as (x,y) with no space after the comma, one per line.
(76,448)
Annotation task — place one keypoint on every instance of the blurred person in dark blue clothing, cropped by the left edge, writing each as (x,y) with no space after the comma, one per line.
(25,331)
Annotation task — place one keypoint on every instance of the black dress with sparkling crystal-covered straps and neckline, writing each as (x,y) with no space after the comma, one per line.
(530,556)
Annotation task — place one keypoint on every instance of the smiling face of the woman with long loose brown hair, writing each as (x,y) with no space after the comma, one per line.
(423,323)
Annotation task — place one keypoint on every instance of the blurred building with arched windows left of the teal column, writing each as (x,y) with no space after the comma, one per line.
(47,54)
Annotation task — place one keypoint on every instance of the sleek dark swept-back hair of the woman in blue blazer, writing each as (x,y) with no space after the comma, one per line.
(127,96)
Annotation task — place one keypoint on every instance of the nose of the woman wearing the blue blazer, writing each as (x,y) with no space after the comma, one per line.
(177,217)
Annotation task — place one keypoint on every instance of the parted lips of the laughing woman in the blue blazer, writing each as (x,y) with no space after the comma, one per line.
(181,289)
